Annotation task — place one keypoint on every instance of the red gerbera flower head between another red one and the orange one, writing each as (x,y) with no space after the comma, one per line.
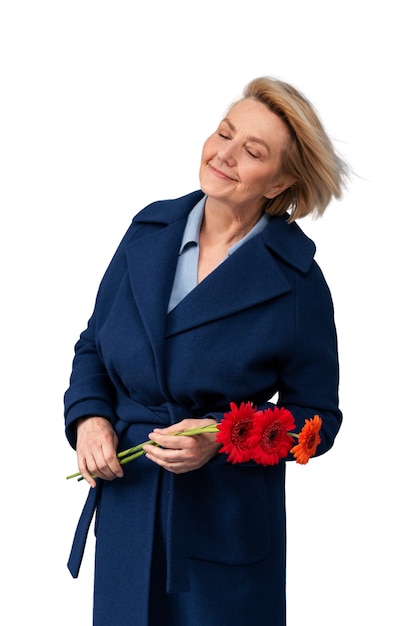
(271,429)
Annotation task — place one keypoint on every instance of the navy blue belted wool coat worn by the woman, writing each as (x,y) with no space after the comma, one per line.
(261,323)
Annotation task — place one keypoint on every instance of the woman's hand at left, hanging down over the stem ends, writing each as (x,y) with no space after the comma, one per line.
(96,450)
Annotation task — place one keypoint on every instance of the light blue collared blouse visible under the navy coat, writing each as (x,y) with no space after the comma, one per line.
(186,273)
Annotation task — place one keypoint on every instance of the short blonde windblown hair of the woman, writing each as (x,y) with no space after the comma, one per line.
(310,161)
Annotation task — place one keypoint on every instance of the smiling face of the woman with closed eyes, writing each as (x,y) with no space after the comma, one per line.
(241,160)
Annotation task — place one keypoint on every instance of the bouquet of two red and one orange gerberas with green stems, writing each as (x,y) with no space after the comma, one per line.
(248,434)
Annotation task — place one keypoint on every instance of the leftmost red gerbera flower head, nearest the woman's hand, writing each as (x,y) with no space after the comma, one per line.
(236,432)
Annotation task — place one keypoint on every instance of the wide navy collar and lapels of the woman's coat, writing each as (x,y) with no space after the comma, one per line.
(233,286)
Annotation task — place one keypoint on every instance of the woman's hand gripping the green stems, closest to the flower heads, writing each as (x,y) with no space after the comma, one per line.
(182,454)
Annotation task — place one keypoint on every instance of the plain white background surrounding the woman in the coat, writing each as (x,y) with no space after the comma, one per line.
(104,107)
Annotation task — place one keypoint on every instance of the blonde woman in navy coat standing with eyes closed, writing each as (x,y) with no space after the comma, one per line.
(210,299)
